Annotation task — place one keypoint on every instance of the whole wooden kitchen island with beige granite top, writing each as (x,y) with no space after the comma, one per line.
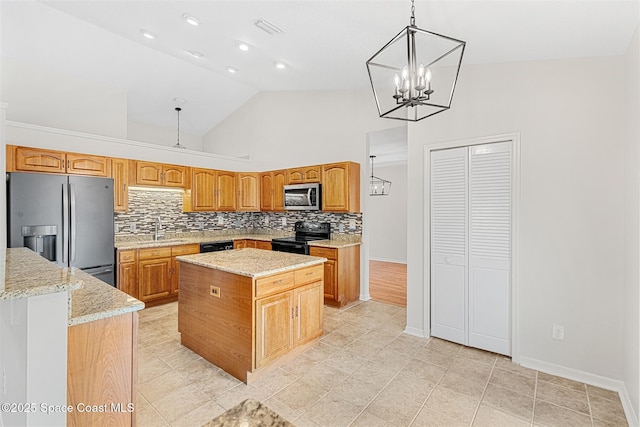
(247,310)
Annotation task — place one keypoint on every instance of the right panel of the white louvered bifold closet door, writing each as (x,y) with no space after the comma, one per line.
(489,247)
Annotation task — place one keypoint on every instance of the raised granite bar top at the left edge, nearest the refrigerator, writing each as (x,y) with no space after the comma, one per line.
(27,274)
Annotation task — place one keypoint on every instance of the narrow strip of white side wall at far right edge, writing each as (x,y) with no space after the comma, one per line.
(632,230)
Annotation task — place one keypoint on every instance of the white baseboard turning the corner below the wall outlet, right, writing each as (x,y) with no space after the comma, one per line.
(587,378)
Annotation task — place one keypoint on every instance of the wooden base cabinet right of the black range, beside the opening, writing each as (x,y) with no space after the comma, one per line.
(341,274)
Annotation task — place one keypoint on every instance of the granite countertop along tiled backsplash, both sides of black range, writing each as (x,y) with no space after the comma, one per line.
(140,242)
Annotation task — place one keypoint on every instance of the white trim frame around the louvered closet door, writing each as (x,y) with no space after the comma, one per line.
(514,138)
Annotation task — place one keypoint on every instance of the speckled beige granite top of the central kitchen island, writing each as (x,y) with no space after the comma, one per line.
(252,262)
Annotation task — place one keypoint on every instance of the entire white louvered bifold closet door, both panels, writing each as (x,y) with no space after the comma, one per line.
(470,246)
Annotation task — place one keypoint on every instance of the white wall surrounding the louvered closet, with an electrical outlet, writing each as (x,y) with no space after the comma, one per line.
(570,114)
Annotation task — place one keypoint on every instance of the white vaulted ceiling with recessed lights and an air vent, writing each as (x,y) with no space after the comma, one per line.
(325,43)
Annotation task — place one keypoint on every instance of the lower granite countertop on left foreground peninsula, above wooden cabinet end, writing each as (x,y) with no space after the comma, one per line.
(98,300)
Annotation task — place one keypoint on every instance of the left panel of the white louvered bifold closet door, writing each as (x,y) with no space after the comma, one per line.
(449,218)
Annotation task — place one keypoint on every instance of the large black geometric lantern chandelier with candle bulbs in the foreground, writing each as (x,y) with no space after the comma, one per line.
(414,75)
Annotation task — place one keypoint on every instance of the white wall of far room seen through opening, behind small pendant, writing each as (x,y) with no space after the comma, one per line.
(387,216)
